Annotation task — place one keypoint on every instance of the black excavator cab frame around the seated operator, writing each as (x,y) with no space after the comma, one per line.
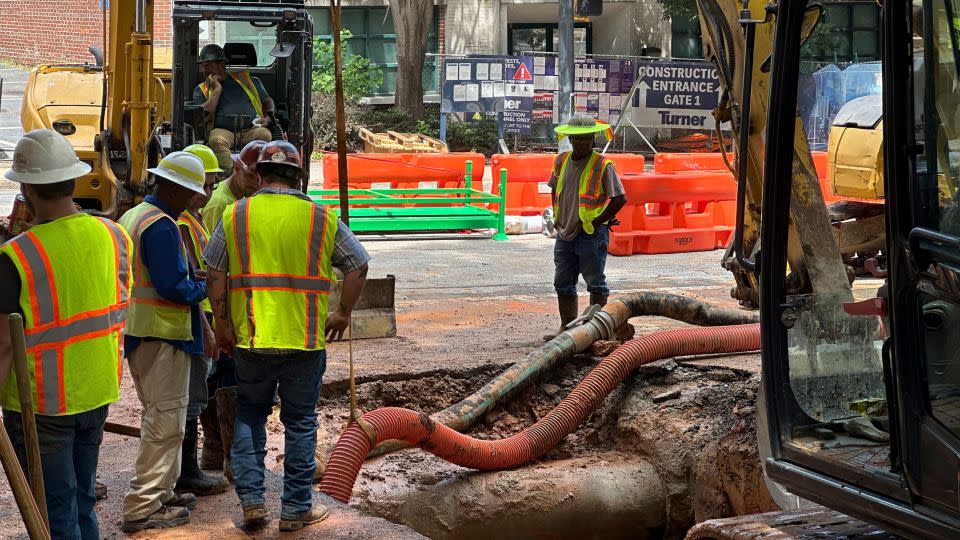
(271,39)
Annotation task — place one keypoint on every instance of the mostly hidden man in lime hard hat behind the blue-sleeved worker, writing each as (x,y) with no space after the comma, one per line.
(192,479)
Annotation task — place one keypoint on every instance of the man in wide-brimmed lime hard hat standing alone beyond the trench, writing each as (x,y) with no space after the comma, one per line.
(586,194)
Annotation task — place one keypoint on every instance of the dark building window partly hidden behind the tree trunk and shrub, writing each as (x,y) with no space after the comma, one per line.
(374,38)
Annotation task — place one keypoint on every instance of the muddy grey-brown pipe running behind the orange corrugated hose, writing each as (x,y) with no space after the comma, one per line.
(460,416)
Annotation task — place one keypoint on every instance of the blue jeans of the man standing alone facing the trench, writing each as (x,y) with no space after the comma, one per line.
(585,254)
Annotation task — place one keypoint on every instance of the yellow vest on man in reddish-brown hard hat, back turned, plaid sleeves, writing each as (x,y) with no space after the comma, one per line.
(280,251)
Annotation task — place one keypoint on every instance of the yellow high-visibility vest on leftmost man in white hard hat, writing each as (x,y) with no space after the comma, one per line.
(74,303)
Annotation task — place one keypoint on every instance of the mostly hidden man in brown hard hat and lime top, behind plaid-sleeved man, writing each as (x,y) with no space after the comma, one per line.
(220,416)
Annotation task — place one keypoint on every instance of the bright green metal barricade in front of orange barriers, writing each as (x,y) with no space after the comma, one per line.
(412,210)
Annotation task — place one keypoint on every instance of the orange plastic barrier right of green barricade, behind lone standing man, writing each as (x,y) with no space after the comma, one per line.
(527,176)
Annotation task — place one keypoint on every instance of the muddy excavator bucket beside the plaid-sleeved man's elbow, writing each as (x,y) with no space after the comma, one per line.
(375,314)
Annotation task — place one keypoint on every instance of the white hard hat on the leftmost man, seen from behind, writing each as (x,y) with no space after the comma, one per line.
(45,157)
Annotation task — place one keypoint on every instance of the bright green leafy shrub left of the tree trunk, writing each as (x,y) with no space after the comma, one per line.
(360,75)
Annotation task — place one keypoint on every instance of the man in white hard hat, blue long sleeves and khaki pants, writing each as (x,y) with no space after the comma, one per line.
(165,330)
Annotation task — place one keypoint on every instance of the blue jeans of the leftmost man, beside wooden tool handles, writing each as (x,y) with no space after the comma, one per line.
(69,450)
